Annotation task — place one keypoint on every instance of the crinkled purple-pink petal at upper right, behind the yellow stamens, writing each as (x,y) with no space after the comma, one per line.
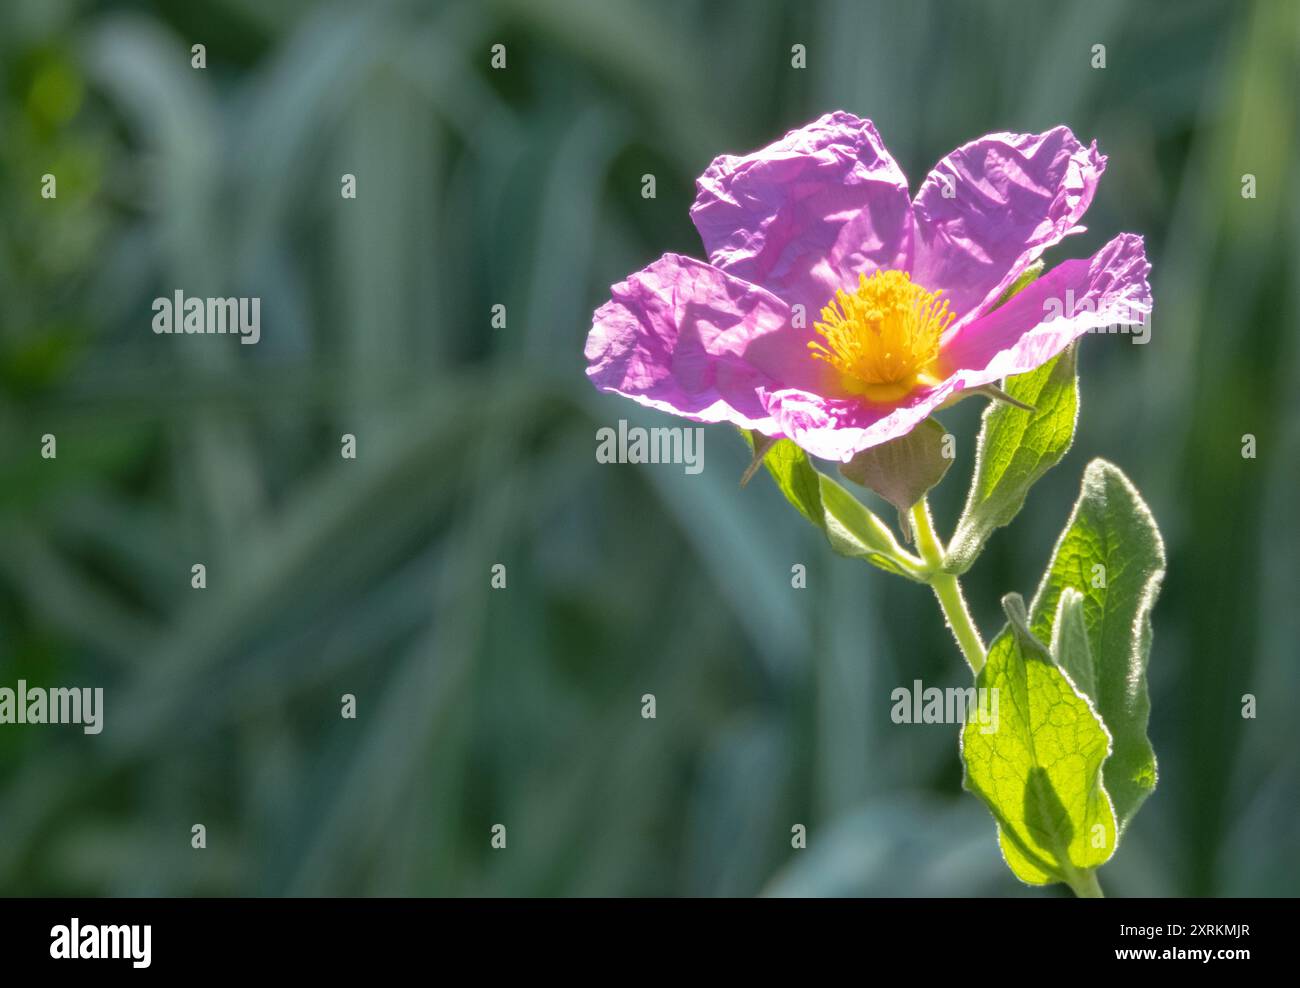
(991,207)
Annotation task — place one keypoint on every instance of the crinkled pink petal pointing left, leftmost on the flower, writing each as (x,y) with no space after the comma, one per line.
(677,337)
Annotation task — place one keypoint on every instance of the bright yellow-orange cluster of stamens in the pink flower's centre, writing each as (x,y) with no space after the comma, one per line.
(885,337)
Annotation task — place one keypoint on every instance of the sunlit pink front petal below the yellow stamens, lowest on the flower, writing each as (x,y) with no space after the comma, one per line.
(840,428)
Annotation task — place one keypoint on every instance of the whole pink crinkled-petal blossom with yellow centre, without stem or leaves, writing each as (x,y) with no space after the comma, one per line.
(839,313)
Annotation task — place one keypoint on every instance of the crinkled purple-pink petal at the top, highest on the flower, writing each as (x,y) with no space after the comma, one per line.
(805,216)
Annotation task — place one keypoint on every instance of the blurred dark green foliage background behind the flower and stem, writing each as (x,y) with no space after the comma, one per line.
(476,447)
